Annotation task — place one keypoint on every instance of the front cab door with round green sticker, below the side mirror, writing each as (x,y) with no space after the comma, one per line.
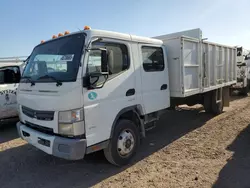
(102,104)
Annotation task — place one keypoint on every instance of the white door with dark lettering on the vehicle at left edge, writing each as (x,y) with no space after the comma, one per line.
(9,79)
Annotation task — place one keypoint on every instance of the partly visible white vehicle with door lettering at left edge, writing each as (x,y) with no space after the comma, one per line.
(10,74)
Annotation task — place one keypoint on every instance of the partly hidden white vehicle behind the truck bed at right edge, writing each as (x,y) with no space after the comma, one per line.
(243,82)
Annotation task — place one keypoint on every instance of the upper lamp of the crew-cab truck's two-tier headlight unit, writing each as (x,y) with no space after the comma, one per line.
(71,116)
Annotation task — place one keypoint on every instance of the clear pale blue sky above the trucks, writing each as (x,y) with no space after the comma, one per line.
(25,23)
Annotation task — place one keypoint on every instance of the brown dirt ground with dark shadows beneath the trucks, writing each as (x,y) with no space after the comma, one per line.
(189,148)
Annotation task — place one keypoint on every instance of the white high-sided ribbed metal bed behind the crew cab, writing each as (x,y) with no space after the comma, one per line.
(197,66)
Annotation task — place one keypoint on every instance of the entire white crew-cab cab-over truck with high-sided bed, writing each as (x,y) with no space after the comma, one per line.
(100,90)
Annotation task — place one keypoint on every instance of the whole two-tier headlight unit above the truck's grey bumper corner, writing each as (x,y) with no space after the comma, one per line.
(71,122)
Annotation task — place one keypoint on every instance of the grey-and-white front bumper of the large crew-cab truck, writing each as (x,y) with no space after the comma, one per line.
(71,149)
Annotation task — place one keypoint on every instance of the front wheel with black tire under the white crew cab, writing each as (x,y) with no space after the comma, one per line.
(124,143)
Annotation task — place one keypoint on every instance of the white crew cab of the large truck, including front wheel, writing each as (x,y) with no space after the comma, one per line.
(87,91)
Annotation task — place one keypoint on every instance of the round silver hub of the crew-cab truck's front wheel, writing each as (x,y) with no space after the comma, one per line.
(125,143)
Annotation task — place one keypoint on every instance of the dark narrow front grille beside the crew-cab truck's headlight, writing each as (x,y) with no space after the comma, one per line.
(40,115)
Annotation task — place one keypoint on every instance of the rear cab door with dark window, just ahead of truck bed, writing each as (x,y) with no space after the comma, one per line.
(154,76)
